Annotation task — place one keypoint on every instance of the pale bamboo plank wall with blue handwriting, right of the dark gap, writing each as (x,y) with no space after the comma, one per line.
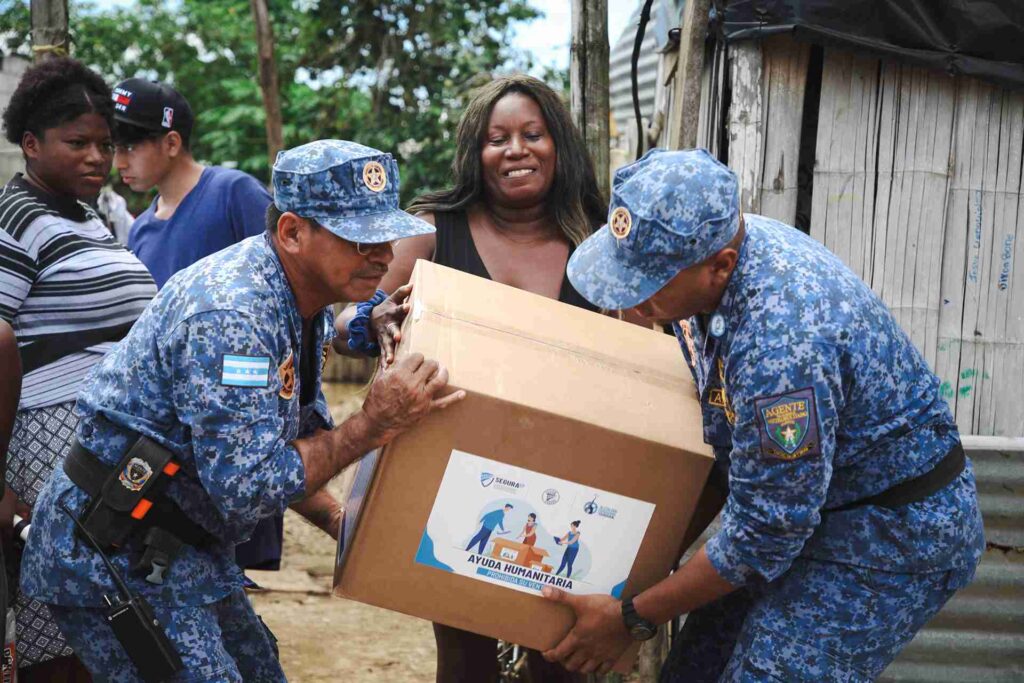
(918,189)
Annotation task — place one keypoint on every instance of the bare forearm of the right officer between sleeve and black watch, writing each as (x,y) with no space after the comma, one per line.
(696,584)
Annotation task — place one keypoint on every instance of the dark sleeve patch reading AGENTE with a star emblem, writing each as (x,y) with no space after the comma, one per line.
(789,425)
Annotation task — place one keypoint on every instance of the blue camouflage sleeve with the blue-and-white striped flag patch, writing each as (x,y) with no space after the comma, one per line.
(226,389)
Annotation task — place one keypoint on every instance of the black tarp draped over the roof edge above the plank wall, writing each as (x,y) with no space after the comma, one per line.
(978,38)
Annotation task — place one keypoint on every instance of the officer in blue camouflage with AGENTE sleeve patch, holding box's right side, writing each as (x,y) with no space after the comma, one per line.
(851,516)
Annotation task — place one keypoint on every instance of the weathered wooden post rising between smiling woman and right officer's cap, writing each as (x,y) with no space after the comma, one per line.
(589,82)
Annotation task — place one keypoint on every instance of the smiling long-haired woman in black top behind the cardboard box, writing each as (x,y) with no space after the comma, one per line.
(525,197)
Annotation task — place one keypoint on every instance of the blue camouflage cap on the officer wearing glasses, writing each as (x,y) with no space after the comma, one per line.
(350,189)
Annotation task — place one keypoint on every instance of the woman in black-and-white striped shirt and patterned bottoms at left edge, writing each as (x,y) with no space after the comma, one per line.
(67,288)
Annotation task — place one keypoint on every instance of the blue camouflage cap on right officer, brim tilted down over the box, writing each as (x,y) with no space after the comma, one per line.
(670,210)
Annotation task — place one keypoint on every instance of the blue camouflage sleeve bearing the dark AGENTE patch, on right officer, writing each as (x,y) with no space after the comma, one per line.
(787,403)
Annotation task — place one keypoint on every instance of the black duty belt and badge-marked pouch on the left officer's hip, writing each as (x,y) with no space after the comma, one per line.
(129,501)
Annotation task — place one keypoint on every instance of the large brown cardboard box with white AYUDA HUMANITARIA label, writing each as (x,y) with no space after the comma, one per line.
(572,415)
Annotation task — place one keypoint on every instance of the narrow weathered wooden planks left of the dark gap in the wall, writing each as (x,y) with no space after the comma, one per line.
(769,80)
